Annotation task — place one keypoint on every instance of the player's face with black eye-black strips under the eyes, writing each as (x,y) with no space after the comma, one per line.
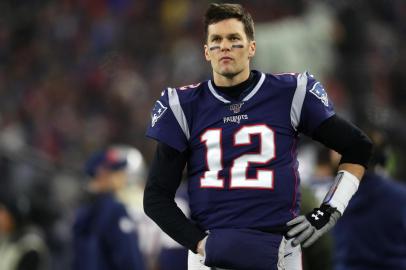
(228,47)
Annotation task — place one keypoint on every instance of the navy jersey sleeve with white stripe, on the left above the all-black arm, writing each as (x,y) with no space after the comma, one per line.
(168,123)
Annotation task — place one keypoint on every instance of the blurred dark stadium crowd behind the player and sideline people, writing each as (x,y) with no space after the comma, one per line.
(77,76)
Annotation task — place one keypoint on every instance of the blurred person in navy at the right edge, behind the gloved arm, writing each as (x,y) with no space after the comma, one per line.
(372,233)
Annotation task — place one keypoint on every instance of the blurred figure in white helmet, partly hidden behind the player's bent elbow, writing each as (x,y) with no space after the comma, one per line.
(158,249)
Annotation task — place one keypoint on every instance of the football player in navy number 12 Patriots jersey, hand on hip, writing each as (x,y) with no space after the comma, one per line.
(238,133)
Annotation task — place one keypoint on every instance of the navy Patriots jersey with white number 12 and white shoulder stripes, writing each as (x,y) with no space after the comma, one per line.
(242,168)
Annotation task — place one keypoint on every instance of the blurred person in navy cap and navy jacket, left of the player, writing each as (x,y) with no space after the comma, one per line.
(104,235)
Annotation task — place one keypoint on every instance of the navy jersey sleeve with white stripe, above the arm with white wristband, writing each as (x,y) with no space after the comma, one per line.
(311,105)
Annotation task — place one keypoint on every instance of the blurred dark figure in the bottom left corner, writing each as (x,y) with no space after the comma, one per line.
(22,246)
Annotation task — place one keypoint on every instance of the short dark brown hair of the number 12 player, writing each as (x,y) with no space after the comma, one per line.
(219,12)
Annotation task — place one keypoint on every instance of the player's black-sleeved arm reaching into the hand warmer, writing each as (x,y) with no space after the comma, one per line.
(164,178)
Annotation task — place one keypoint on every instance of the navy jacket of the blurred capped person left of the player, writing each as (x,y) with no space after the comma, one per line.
(104,237)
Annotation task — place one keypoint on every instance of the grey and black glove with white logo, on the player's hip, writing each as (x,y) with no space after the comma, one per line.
(307,229)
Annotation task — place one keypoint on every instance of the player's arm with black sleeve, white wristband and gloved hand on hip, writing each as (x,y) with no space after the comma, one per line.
(356,149)
